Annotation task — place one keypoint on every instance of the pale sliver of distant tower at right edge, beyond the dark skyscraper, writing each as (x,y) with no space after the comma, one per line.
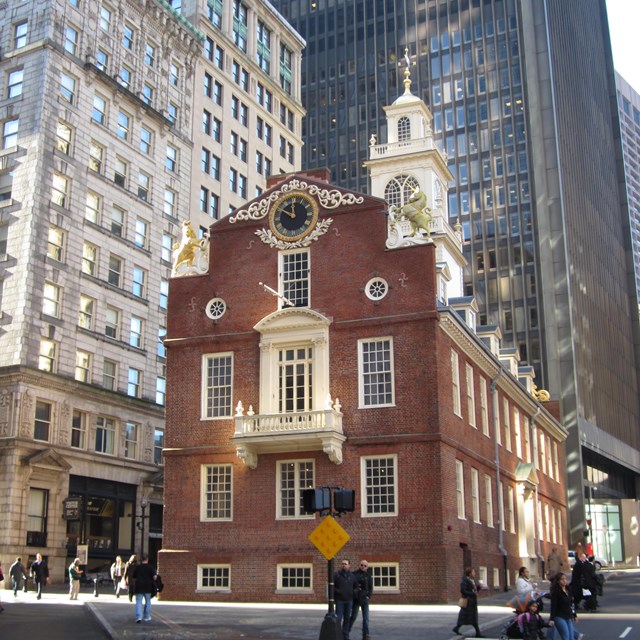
(629,110)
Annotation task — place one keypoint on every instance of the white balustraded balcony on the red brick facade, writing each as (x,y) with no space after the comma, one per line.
(282,432)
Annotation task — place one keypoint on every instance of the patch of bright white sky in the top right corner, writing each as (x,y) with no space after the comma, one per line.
(624,26)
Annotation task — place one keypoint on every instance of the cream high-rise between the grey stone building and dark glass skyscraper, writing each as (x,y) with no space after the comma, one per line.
(247,112)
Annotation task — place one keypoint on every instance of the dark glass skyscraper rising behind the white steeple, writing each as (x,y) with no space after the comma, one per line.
(523,101)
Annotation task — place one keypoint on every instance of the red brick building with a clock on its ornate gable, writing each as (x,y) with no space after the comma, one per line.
(361,372)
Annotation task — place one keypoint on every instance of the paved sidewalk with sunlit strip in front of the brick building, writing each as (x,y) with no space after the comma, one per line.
(264,621)
